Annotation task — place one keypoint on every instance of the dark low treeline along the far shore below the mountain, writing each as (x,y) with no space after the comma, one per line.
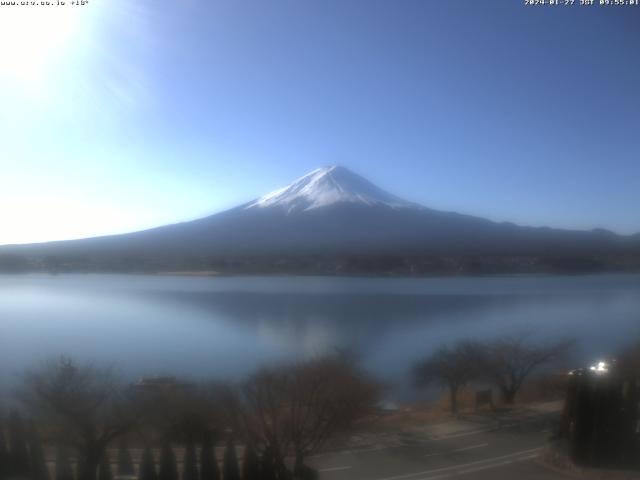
(329,264)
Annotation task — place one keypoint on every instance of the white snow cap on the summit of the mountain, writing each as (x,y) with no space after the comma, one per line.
(327,186)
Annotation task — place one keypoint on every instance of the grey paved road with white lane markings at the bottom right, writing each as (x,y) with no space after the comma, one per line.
(478,448)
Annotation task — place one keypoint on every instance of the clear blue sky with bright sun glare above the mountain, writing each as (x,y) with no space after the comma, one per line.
(123,114)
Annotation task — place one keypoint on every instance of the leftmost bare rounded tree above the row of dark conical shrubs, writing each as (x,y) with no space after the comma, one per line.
(84,405)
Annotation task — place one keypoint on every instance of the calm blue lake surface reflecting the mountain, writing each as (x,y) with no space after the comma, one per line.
(225,327)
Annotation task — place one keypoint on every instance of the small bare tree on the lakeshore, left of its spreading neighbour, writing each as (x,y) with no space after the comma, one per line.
(452,367)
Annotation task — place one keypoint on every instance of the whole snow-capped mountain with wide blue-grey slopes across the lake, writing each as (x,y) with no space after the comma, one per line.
(330,211)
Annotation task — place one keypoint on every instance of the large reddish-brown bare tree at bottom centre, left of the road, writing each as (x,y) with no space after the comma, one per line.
(296,409)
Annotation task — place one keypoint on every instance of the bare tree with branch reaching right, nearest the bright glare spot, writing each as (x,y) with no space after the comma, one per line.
(509,360)
